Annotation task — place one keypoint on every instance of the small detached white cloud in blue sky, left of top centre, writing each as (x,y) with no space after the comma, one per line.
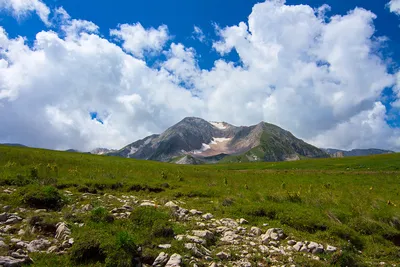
(138,40)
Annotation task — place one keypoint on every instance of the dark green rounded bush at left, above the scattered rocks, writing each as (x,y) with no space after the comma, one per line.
(47,197)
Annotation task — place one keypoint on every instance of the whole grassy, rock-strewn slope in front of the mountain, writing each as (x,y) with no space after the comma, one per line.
(253,214)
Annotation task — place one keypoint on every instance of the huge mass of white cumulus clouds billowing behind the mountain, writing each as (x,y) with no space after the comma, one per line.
(317,76)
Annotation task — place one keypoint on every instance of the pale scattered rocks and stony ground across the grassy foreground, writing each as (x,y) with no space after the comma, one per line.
(209,241)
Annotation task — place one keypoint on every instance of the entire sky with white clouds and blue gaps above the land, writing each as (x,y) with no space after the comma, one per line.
(87,74)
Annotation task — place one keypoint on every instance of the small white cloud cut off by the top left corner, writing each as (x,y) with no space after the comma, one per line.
(21,8)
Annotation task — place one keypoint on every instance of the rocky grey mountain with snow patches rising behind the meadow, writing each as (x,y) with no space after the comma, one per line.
(196,141)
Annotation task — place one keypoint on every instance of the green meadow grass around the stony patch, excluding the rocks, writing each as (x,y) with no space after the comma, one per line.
(352,203)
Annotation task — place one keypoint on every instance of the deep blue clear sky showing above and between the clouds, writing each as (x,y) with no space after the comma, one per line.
(181,16)
